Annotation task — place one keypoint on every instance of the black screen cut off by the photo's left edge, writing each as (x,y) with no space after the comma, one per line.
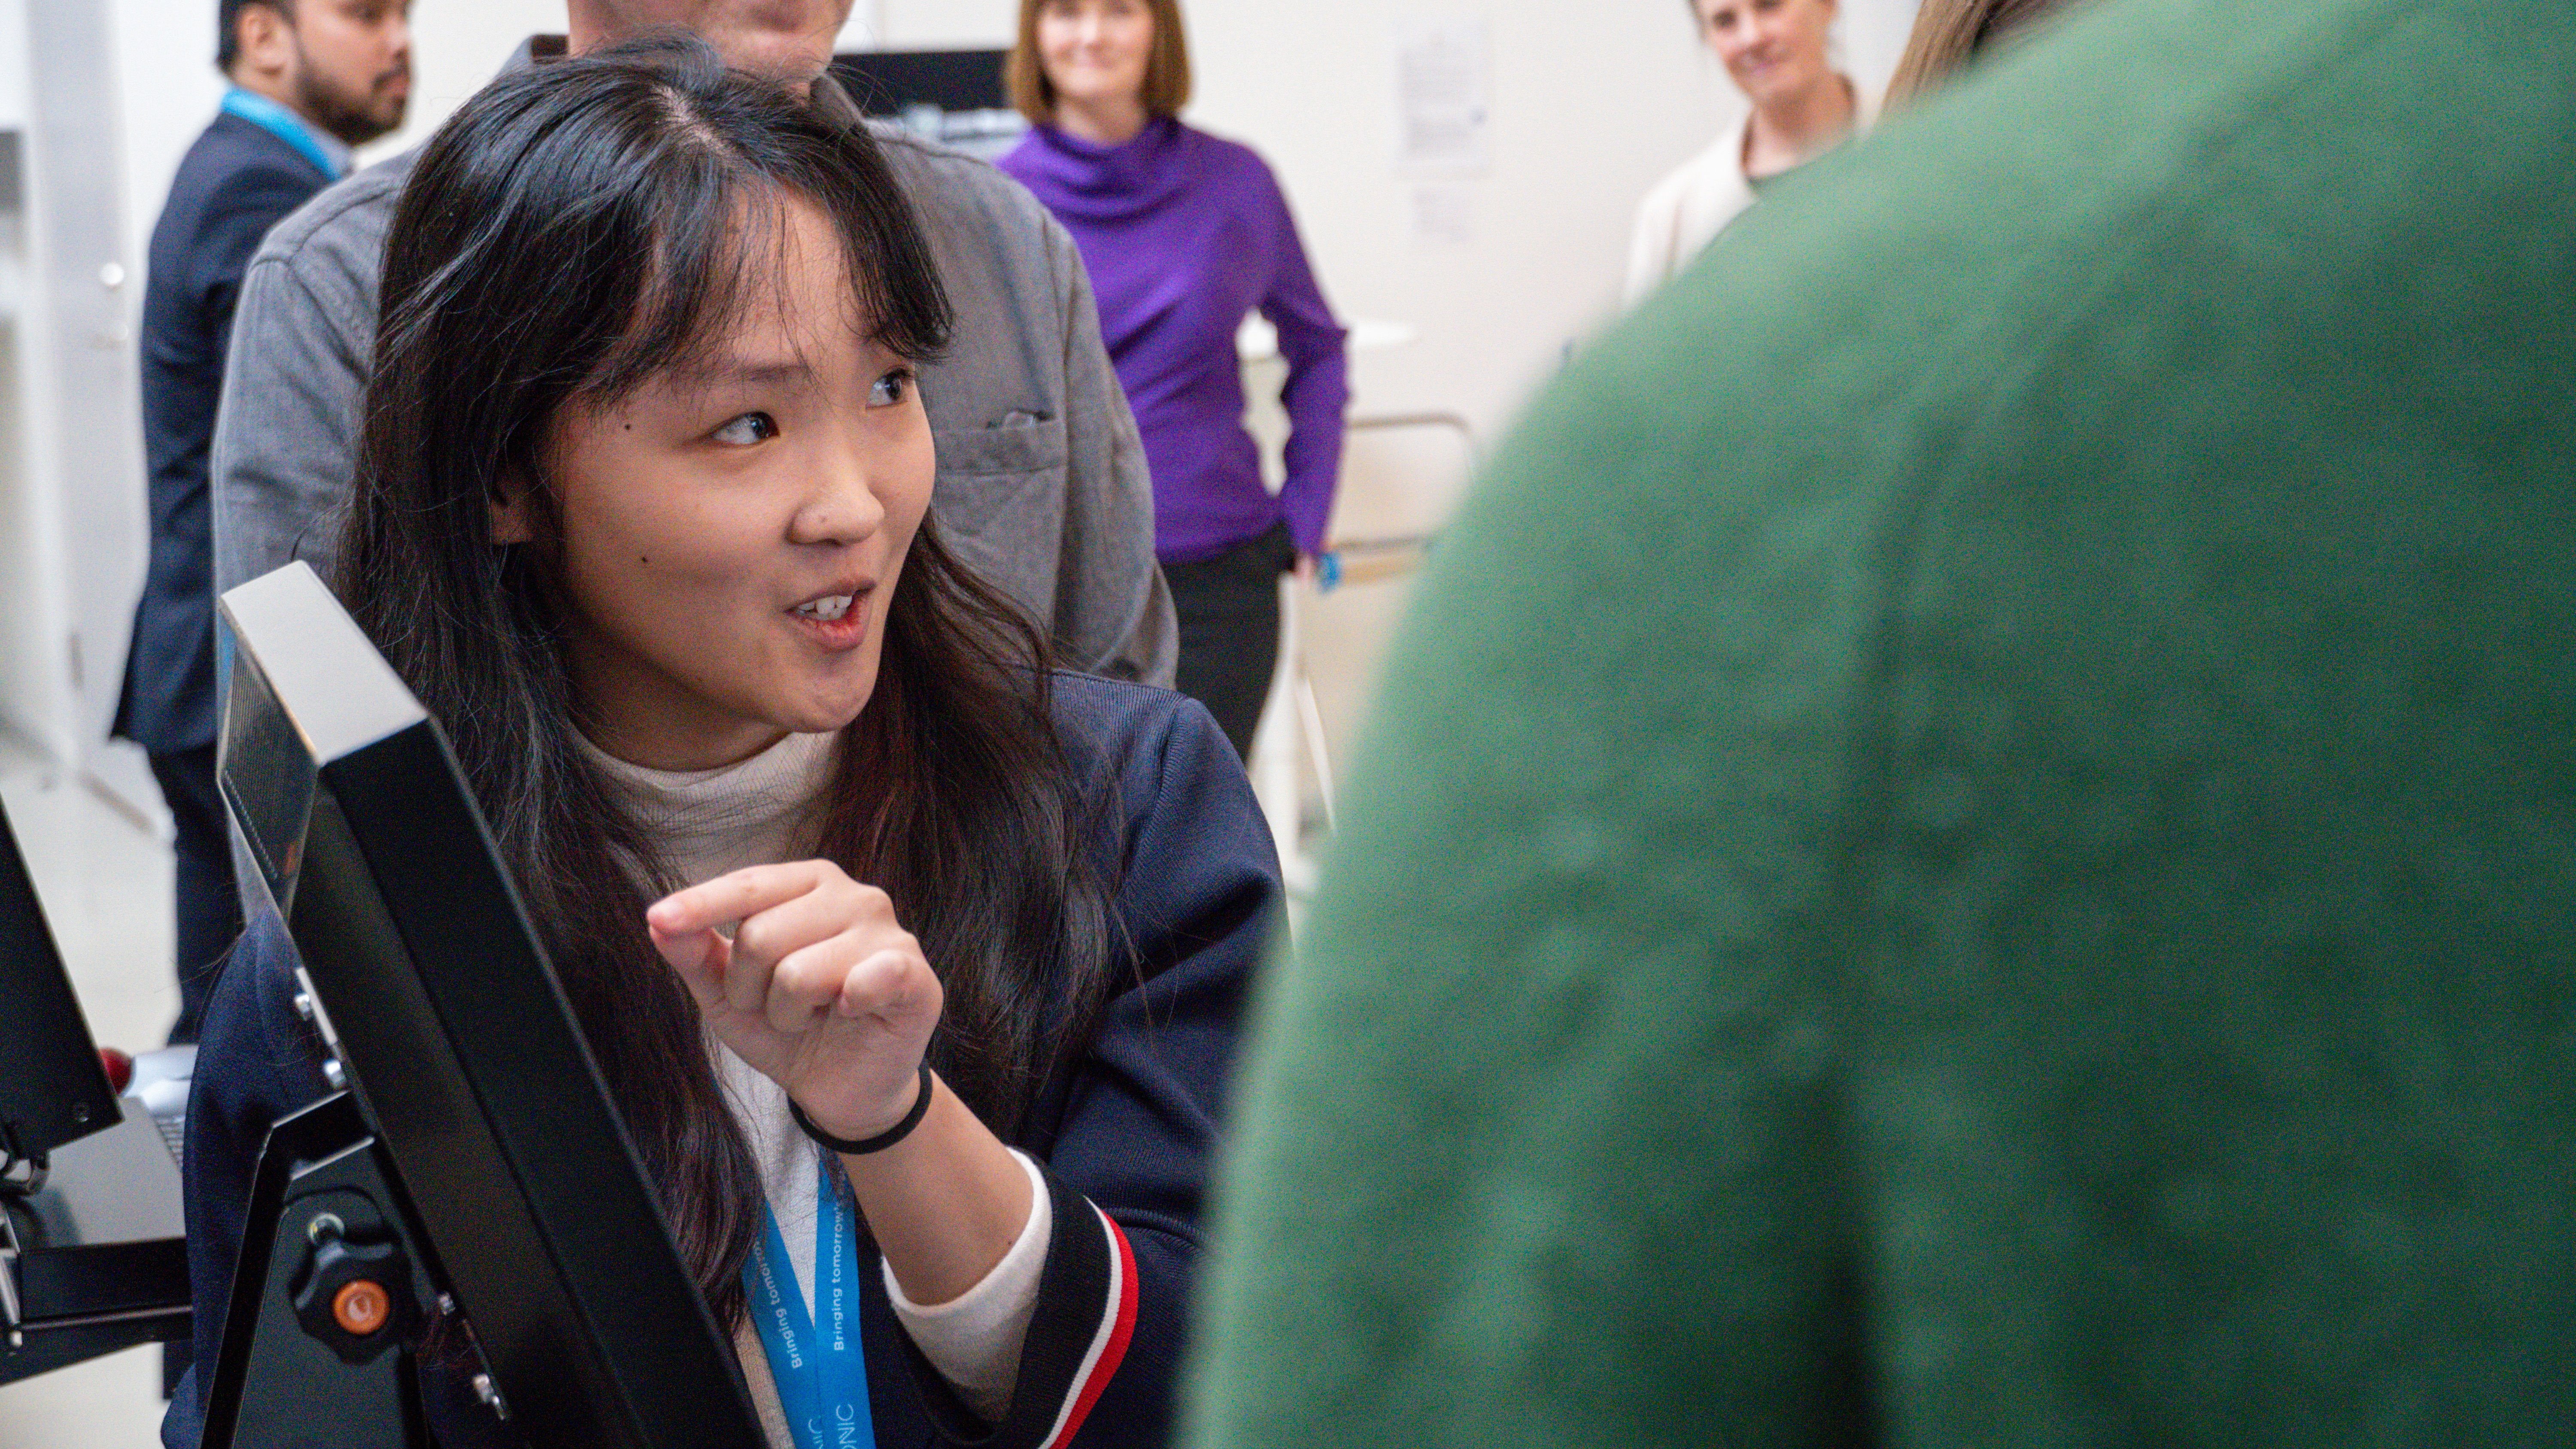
(53,1085)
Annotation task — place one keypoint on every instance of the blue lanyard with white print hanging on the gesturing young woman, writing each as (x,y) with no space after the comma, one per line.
(820,1368)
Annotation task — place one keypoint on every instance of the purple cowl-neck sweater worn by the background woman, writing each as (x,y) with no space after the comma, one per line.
(1184,235)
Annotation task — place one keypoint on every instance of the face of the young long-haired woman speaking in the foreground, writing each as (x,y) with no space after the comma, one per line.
(730,539)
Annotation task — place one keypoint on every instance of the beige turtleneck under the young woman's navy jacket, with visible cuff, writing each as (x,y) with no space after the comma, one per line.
(766,812)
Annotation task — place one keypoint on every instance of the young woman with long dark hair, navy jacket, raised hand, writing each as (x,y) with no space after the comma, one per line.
(640,516)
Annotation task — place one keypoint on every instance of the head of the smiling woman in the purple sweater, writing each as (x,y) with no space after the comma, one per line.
(1099,55)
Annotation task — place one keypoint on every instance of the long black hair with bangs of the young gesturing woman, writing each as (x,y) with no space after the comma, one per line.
(565,238)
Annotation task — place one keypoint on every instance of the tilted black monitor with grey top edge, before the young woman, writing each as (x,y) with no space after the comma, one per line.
(460,1044)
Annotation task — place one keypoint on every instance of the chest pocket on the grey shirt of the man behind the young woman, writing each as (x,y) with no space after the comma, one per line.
(1001,503)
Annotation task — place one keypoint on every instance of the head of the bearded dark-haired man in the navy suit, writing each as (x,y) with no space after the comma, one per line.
(344,66)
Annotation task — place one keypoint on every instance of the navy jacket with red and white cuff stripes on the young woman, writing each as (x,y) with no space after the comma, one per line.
(1130,1131)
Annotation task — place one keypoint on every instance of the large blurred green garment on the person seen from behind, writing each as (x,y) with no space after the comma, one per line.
(1977,843)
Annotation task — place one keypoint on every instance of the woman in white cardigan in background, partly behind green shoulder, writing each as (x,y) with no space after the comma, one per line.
(1802,107)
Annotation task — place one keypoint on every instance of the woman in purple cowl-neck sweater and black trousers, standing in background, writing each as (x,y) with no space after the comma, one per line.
(1184,235)
